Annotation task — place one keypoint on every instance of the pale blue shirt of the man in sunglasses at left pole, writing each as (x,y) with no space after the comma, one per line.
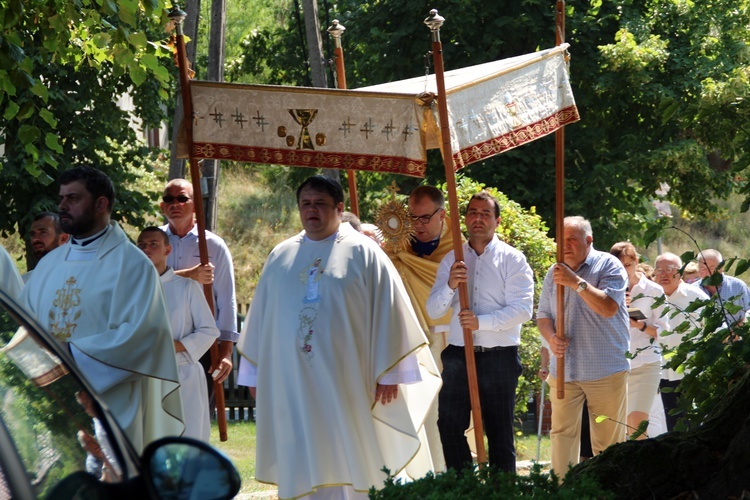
(185,255)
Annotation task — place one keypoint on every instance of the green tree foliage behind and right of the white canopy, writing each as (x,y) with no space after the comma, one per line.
(661,87)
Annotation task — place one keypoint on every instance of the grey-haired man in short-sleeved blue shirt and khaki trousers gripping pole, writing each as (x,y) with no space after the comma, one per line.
(596,339)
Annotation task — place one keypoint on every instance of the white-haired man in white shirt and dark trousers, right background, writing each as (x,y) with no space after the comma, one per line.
(679,295)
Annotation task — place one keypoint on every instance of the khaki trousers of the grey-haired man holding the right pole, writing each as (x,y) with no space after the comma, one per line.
(606,396)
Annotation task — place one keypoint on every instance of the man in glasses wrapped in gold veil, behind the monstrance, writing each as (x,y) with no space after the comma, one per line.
(417,264)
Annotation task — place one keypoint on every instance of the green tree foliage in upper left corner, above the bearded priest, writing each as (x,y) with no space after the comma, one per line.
(62,65)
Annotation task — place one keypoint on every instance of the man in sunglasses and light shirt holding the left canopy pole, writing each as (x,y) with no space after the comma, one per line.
(178,207)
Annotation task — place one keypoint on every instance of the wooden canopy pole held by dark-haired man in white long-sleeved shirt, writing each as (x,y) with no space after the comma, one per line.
(434,22)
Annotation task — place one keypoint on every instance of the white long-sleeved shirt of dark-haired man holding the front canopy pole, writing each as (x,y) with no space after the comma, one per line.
(501,294)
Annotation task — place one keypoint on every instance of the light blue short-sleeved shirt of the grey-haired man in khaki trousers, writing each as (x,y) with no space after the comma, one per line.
(597,344)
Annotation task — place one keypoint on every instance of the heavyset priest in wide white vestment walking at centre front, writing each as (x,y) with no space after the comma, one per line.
(335,355)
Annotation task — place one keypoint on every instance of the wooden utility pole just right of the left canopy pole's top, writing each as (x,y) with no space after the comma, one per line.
(211,168)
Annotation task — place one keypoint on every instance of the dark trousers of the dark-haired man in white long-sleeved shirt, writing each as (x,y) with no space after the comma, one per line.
(497,375)
